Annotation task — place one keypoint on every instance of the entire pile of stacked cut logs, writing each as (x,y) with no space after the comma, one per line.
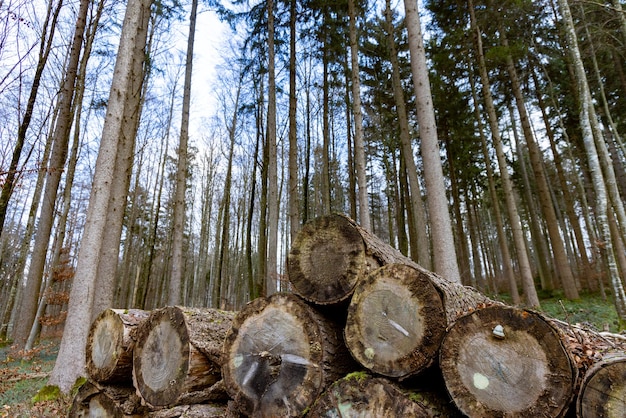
(366,332)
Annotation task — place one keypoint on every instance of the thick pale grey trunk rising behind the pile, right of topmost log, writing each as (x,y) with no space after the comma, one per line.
(444,253)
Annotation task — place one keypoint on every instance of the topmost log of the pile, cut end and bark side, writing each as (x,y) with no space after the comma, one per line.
(332,253)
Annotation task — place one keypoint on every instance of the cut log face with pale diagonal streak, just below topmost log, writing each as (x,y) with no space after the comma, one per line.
(396,321)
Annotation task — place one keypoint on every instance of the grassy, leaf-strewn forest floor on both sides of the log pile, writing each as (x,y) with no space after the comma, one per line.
(23,375)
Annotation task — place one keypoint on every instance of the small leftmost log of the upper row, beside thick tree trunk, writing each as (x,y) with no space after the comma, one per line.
(110,344)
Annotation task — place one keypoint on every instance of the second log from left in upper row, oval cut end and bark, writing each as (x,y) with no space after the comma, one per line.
(177,356)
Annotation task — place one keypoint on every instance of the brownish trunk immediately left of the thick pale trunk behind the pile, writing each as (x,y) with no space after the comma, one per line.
(415,193)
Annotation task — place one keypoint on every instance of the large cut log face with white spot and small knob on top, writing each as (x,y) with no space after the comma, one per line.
(504,361)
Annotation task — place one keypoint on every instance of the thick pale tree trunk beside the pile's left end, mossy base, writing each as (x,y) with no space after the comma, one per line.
(70,363)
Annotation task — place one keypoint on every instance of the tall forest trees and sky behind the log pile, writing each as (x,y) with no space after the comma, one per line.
(482,139)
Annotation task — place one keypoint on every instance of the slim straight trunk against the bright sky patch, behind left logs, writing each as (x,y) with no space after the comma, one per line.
(177,259)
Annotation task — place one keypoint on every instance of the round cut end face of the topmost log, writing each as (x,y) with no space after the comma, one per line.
(326,259)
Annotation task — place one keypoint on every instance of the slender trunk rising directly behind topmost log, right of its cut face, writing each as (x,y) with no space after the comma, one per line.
(359,146)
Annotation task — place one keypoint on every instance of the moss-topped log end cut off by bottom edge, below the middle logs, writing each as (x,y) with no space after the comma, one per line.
(361,395)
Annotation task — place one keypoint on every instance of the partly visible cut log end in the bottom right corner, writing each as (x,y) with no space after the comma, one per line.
(603,389)
